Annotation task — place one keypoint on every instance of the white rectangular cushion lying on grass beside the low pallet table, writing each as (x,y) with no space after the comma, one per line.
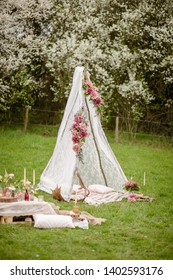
(52,221)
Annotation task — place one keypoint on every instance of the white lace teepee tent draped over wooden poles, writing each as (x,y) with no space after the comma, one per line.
(98,165)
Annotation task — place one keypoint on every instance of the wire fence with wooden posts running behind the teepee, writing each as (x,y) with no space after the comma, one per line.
(38,117)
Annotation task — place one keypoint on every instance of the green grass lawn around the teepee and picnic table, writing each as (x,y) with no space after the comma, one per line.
(140,230)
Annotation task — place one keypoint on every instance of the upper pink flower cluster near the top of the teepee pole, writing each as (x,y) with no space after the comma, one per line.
(92,91)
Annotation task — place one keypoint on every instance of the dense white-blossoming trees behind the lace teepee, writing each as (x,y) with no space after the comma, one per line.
(127,44)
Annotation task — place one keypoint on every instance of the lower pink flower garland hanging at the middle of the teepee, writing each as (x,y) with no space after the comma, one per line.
(79,133)
